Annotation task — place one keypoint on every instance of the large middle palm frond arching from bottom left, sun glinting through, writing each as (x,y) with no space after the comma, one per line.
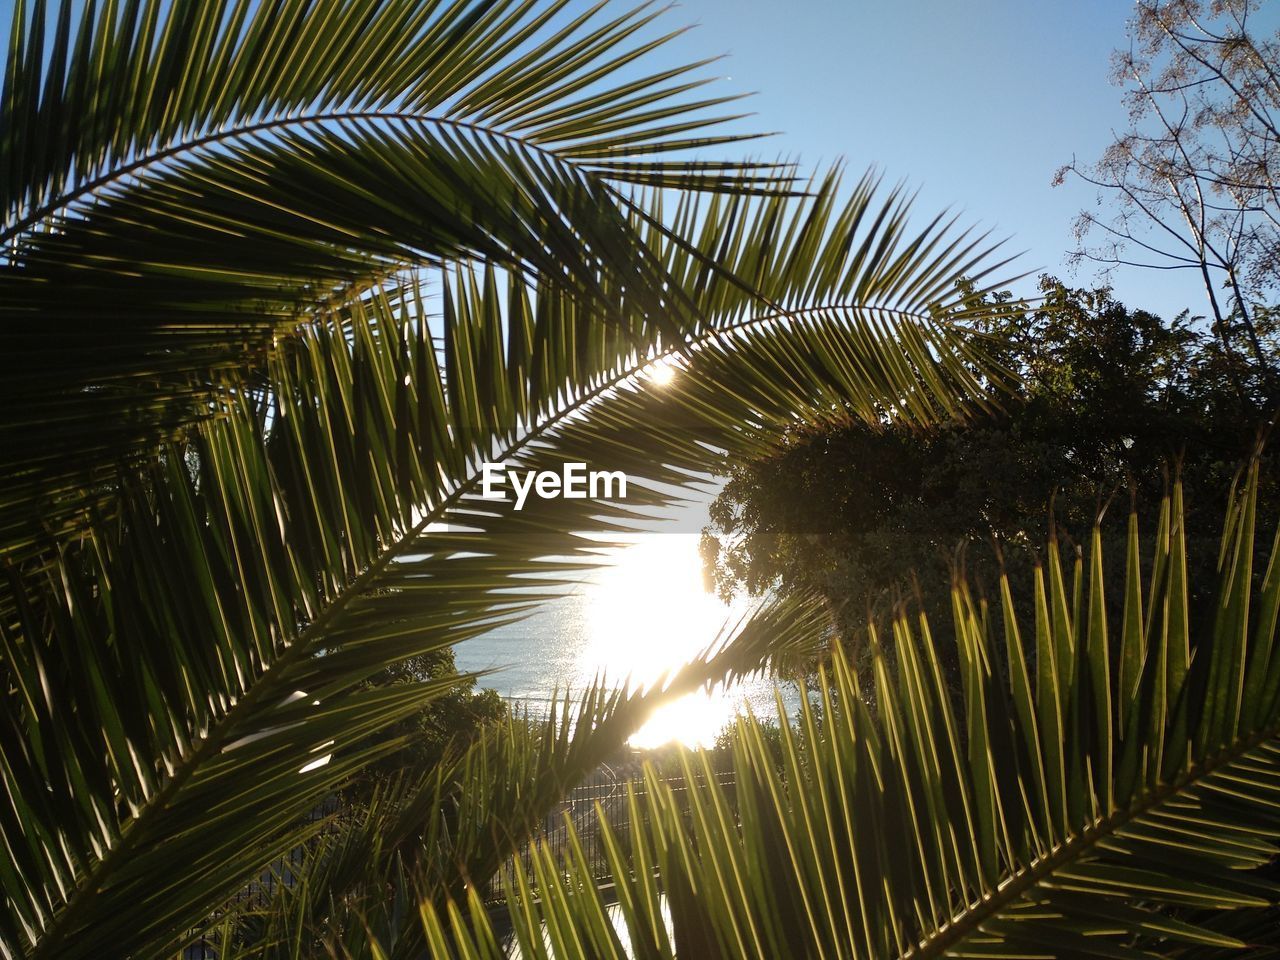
(294,548)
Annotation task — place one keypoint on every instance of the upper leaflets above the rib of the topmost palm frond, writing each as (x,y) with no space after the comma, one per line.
(130,88)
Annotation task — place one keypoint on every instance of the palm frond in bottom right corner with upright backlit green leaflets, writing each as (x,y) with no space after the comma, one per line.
(1107,785)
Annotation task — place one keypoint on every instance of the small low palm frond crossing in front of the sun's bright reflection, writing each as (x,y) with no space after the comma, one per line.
(446,833)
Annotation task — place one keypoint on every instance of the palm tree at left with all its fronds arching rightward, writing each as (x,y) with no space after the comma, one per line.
(278,278)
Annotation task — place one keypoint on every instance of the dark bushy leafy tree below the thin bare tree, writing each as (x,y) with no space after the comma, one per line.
(1108,395)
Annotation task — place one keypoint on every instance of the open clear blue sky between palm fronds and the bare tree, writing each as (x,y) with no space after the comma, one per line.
(975,102)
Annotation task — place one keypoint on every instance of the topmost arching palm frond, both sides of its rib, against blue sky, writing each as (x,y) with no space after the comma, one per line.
(182,185)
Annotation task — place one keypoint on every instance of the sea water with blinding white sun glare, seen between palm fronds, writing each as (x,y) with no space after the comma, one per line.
(630,623)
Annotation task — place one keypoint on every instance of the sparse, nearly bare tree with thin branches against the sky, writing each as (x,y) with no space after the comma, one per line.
(1195,177)
